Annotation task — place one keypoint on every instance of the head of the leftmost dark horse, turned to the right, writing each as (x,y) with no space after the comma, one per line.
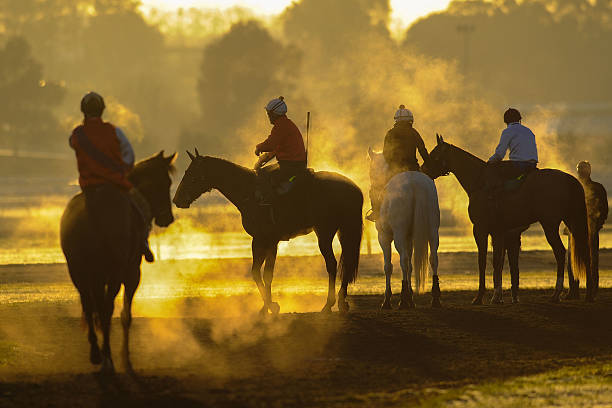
(152,178)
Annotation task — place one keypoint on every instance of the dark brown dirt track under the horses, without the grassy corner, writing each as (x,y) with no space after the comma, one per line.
(365,358)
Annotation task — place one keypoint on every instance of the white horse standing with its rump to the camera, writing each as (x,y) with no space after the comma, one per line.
(410,217)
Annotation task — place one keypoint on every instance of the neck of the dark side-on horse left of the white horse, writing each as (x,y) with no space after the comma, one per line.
(235,182)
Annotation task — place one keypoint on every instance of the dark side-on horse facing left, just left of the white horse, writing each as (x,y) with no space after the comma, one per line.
(326,203)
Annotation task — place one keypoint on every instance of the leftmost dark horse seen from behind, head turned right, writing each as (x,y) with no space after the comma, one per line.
(97,270)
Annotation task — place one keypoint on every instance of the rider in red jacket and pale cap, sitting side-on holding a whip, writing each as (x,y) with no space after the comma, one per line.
(285,143)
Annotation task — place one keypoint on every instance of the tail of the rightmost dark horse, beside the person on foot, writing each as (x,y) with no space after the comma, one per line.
(578,226)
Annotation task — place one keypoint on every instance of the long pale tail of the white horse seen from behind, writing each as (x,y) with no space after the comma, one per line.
(425,210)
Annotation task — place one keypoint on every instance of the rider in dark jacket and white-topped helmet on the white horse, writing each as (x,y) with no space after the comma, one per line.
(401,143)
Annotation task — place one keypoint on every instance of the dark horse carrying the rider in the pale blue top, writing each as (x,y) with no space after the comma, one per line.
(547,196)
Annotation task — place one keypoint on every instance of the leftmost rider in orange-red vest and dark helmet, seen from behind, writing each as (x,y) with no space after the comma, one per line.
(104,158)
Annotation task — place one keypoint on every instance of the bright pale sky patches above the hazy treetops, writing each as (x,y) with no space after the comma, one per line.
(405,10)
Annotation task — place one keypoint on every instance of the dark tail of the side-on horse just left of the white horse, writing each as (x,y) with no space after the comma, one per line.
(349,234)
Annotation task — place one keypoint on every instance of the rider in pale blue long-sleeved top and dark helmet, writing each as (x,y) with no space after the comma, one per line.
(523,157)
